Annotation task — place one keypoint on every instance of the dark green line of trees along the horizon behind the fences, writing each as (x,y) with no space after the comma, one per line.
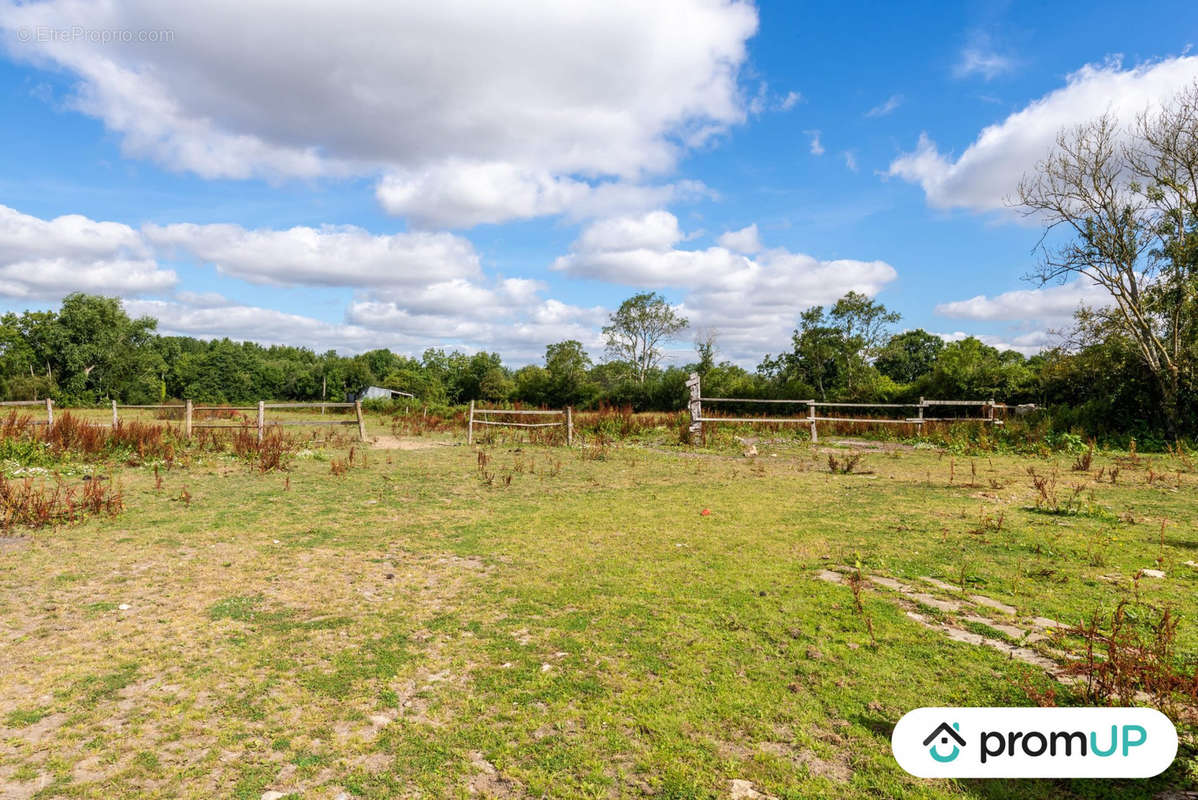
(90,351)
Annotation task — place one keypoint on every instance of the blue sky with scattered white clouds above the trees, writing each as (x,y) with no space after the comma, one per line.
(471,177)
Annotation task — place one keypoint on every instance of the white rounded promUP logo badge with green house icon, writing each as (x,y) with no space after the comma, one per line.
(1034,743)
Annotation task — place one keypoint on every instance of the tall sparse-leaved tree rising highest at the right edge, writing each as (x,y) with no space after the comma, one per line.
(1128,204)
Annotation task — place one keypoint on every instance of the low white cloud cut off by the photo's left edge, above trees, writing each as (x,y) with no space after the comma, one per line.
(49,259)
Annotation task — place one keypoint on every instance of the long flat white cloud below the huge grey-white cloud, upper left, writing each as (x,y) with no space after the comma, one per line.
(323,257)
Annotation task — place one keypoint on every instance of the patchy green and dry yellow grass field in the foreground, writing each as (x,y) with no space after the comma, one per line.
(602,622)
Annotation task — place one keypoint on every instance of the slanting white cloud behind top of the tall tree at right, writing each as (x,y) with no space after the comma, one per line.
(988,173)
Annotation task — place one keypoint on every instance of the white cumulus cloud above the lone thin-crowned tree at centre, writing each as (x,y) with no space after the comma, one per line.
(754,302)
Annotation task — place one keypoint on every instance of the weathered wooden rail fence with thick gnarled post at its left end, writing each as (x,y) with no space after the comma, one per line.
(697,413)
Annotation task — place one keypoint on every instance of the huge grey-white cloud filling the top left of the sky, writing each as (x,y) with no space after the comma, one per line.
(543,96)
